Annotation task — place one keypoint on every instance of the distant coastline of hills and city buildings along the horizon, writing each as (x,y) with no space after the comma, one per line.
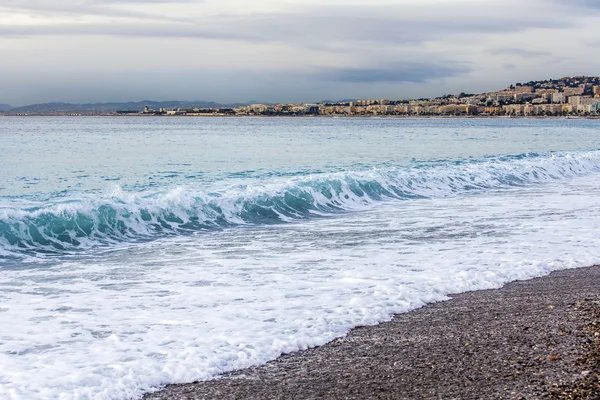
(566,96)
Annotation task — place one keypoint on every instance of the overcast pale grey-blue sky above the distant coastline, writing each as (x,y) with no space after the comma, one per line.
(286,50)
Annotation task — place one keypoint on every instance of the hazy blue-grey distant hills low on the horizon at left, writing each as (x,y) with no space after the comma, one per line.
(103,108)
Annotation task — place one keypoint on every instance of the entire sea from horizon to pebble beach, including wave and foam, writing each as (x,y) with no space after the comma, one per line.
(136,252)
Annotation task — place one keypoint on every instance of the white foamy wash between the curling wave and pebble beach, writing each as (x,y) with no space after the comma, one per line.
(118,322)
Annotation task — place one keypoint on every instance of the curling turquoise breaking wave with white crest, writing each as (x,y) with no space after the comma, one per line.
(88,221)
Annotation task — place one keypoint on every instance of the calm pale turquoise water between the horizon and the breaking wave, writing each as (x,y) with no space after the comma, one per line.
(44,157)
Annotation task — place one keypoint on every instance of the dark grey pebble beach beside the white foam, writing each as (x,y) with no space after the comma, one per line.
(531,339)
